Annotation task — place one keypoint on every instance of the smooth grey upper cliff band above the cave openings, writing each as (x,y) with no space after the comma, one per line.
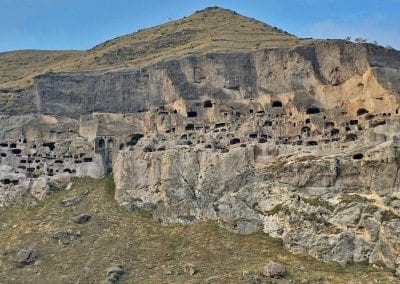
(309,68)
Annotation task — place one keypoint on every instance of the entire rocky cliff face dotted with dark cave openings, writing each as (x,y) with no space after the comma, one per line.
(299,140)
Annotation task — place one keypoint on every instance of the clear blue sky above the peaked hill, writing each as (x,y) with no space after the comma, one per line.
(82,24)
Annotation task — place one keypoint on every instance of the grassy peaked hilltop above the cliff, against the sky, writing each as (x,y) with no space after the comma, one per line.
(208,30)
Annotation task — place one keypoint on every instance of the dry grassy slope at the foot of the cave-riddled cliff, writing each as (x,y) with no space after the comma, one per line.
(148,251)
